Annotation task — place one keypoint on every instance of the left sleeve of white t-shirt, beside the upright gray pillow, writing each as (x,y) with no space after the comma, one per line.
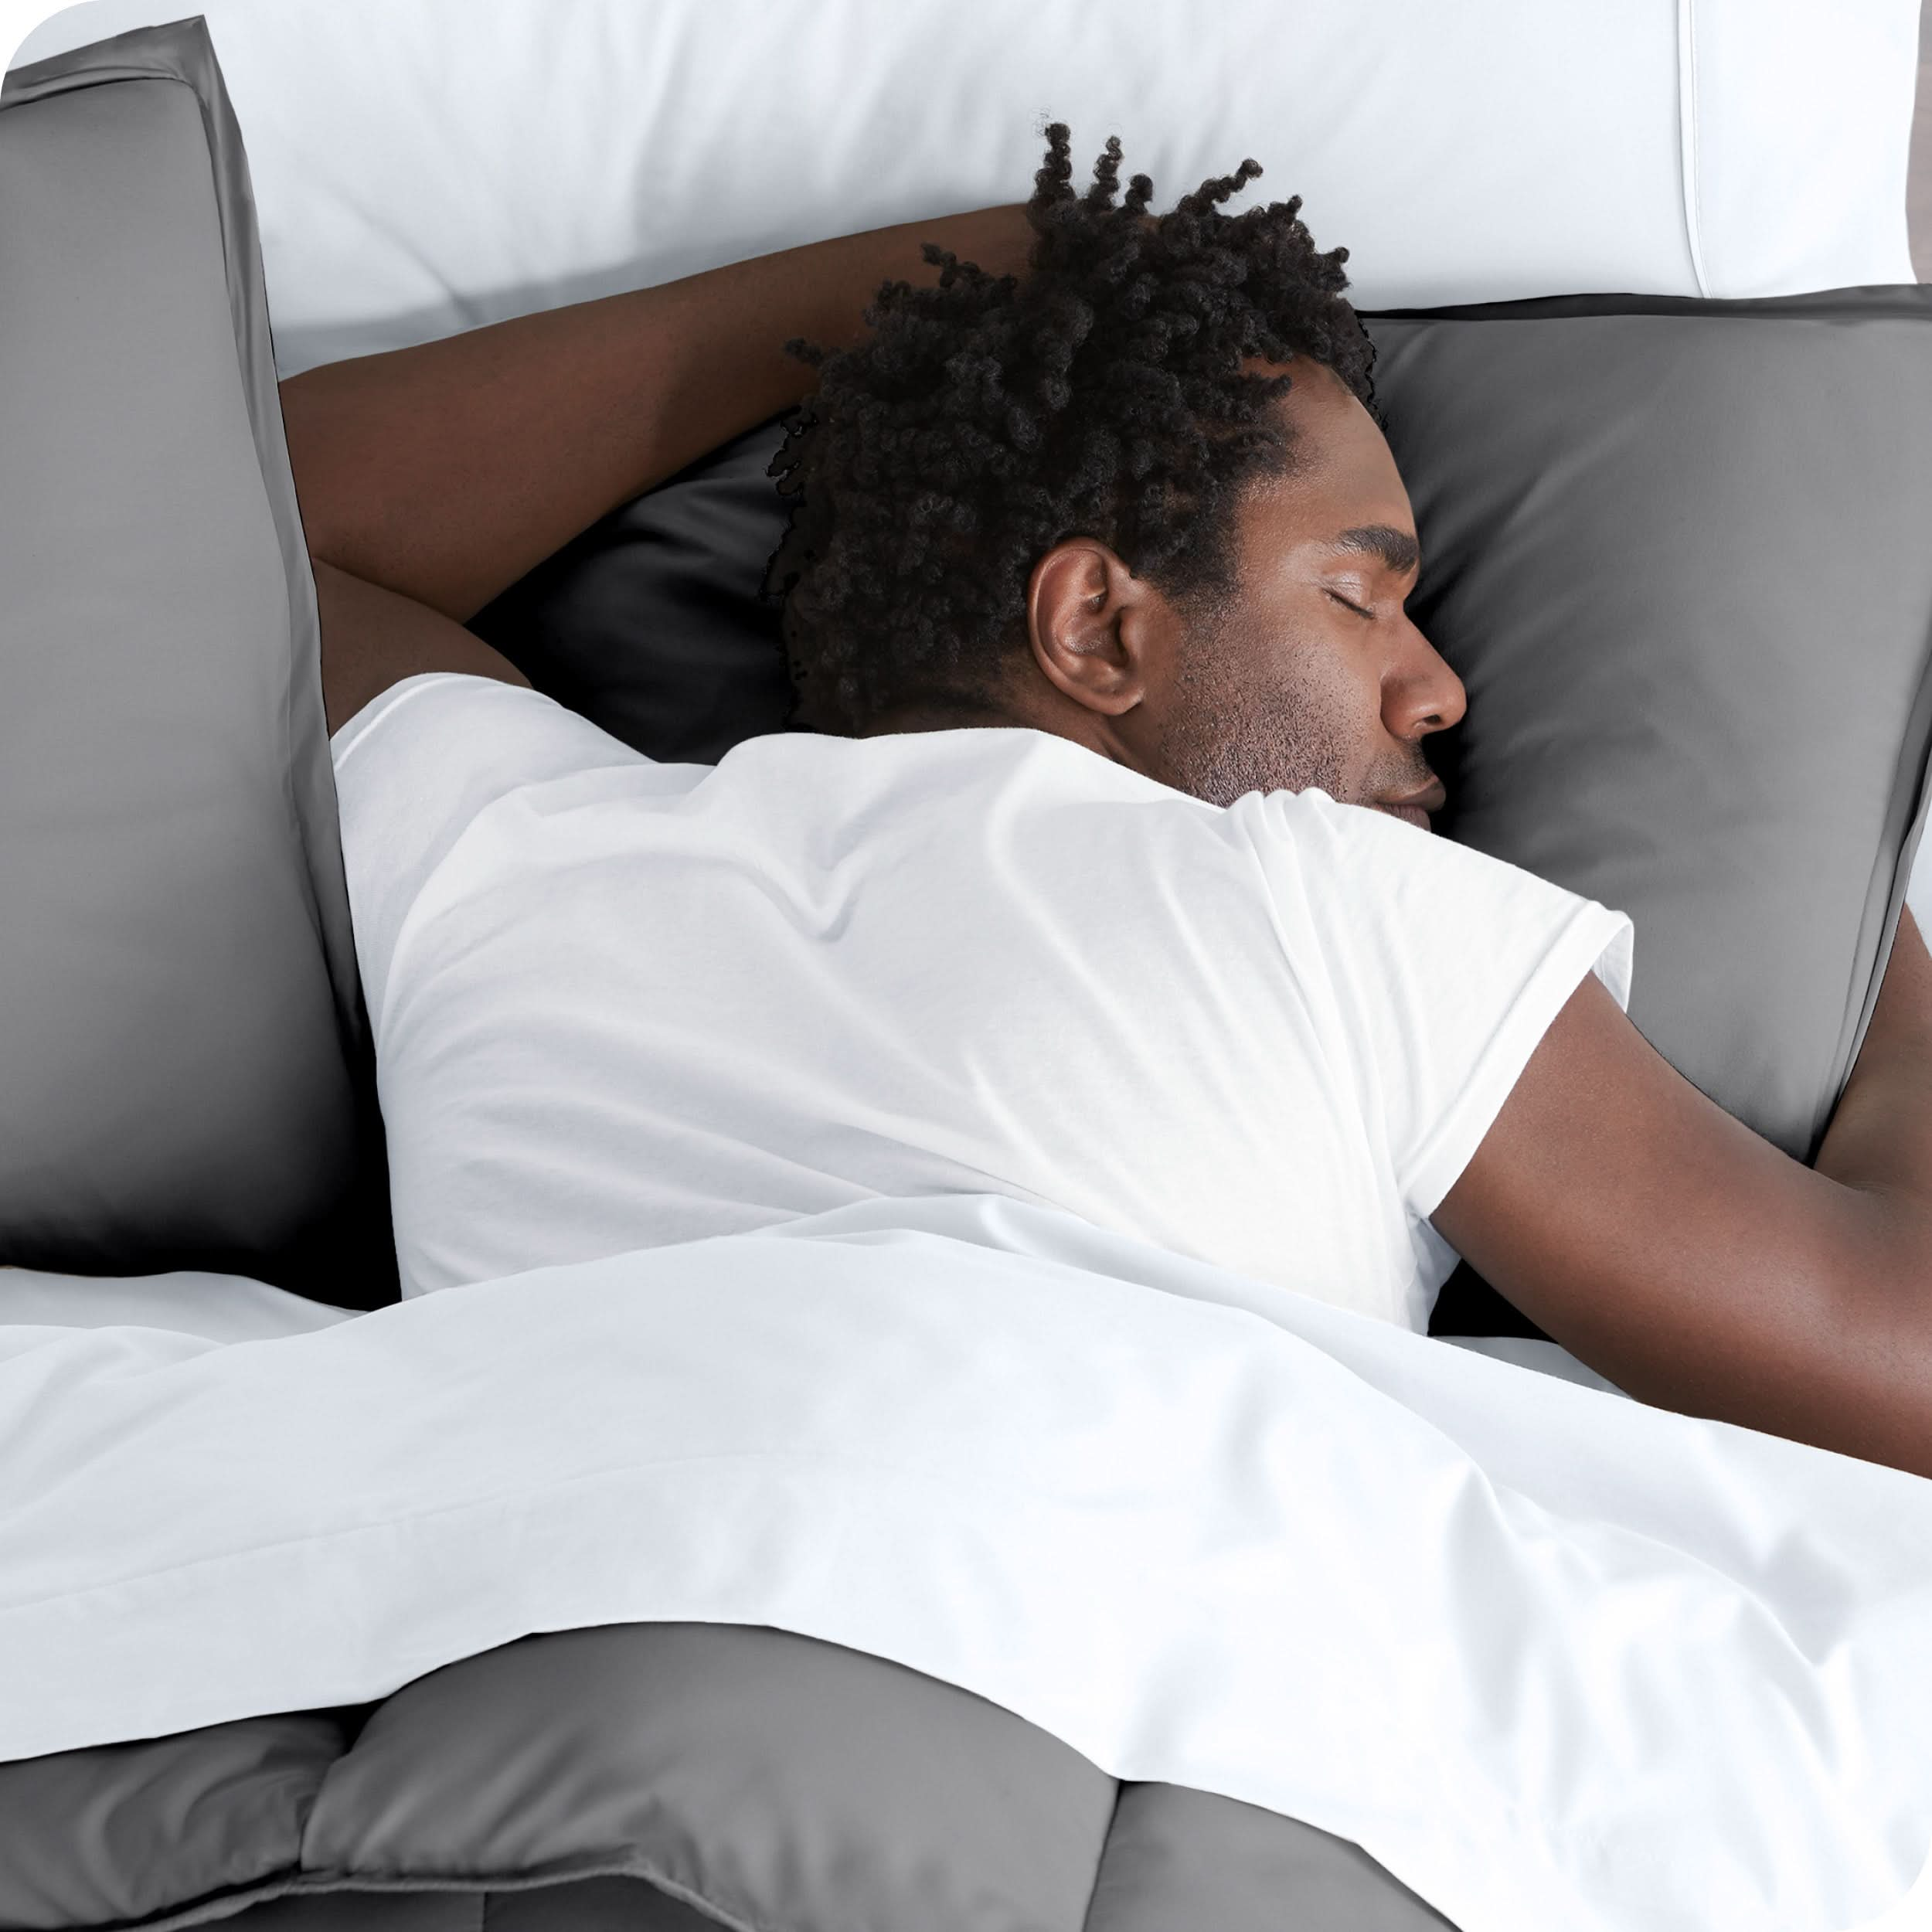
(418,766)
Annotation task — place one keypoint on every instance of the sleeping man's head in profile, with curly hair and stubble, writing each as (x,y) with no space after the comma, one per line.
(1133,497)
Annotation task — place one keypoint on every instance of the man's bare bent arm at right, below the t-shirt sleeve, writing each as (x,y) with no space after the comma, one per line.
(1705,1270)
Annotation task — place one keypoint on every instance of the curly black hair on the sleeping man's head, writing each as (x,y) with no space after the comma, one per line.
(988,418)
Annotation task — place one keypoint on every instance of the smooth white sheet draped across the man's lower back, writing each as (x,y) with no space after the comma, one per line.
(1552,1657)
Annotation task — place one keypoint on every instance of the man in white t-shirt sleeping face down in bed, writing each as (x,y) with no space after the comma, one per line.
(1096,870)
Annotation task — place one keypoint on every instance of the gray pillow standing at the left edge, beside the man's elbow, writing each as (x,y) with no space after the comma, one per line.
(185,1056)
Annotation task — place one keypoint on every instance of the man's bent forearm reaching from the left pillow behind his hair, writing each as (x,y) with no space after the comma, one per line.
(449,470)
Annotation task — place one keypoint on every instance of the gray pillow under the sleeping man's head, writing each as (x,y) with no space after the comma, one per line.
(1676,552)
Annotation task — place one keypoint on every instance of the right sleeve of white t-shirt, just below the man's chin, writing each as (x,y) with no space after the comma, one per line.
(1444,971)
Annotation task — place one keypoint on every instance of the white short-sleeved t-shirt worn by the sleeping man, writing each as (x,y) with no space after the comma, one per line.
(621,1004)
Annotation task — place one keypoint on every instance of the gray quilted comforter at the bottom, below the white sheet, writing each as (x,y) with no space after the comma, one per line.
(658,1778)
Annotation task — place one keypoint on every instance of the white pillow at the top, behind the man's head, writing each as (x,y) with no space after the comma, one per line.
(430,165)
